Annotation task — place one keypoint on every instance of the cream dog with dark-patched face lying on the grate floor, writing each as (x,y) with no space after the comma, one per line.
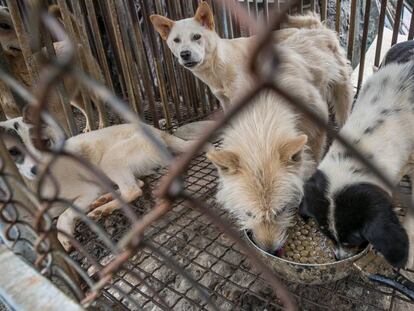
(121,152)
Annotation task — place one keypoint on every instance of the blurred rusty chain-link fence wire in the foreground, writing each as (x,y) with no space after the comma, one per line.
(28,222)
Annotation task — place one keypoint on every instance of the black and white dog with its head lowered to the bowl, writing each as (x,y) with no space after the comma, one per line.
(350,204)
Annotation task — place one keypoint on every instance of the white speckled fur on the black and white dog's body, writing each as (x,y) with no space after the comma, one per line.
(391,144)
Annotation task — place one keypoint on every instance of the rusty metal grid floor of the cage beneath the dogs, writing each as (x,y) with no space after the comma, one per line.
(214,261)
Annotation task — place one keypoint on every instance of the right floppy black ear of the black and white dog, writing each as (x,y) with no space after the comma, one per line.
(386,234)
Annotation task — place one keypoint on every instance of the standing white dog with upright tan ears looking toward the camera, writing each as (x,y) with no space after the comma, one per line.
(222,63)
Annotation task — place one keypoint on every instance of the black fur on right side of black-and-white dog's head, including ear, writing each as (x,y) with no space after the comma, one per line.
(363,212)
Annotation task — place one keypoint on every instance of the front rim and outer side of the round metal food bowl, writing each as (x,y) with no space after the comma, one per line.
(311,274)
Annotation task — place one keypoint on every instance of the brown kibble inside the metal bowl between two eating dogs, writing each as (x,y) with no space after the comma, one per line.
(306,244)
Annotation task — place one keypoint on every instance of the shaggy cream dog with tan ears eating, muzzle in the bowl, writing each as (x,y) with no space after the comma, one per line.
(271,149)
